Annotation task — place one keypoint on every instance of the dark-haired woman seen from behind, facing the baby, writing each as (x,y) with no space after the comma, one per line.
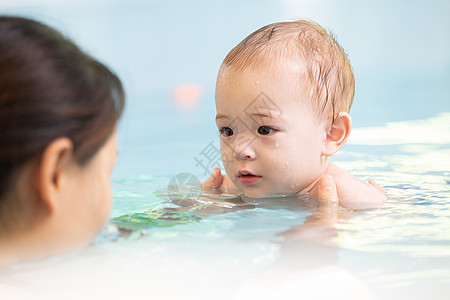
(58,113)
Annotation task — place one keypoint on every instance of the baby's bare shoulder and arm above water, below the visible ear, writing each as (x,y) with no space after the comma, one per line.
(353,192)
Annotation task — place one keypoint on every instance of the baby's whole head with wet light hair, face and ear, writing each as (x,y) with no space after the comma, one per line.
(282,97)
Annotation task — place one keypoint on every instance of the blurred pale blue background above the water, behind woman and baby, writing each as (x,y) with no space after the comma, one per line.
(168,53)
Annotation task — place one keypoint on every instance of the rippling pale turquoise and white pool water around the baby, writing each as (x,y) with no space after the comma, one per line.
(192,246)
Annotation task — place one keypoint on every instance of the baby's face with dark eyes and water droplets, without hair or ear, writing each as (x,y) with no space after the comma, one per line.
(271,141)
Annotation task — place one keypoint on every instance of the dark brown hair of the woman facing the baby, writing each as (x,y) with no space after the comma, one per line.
(49,89)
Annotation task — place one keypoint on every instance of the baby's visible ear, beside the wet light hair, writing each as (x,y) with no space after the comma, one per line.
(337,134)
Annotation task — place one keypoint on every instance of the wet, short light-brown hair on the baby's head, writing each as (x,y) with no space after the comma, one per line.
(328,76)
